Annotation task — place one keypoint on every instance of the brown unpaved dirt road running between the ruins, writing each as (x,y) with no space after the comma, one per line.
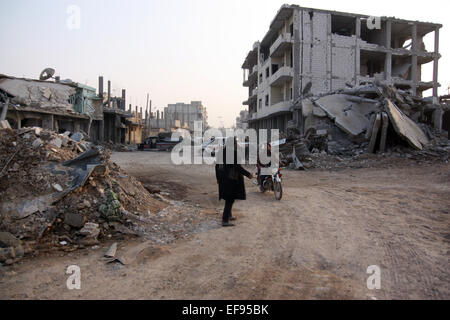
(316,243)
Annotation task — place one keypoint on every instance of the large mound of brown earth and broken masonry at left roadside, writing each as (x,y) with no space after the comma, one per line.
(59,191)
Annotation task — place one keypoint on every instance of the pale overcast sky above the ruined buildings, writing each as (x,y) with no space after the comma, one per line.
(176,50)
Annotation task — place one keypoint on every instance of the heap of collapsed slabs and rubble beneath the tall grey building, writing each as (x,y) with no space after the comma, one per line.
(372,118)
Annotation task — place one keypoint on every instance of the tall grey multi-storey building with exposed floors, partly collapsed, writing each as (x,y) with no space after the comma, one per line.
(312,51)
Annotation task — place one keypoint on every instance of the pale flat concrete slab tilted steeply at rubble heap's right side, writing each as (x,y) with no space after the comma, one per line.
(405,127)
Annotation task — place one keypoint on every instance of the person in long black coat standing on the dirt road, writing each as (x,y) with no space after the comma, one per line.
(230,178)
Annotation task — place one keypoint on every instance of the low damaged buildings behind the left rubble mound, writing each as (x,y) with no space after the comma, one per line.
(64,105)
